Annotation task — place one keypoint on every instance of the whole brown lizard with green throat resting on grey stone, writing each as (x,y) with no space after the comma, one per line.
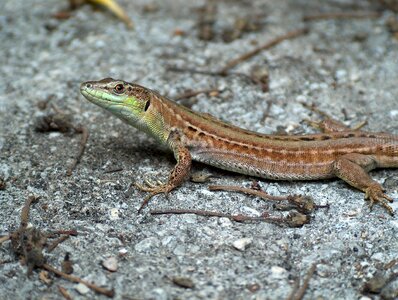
(338,151)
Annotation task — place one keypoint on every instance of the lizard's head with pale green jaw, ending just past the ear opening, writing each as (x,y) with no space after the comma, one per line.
(127,101)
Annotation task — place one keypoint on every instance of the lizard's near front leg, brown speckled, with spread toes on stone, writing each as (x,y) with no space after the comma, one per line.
(176,177)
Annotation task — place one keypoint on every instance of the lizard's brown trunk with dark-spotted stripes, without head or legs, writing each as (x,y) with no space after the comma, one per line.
(270,156)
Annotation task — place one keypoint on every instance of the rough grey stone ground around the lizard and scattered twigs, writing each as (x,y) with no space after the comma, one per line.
(341,64)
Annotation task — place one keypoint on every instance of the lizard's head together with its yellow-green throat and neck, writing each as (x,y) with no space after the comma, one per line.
(130,102)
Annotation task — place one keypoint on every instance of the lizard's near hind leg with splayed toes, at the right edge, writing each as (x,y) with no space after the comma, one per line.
(353,168)
